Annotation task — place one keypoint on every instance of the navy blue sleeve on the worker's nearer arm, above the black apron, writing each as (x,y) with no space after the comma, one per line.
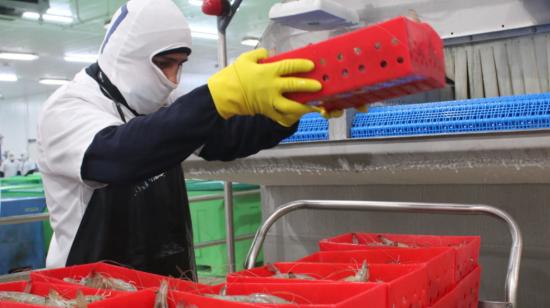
(148,145)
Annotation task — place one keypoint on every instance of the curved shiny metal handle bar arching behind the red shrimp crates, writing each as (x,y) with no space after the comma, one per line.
(512,275)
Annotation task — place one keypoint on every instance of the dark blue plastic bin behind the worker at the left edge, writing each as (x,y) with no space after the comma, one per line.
(21,245)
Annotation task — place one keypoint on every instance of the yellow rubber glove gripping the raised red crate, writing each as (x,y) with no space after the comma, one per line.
(247,87)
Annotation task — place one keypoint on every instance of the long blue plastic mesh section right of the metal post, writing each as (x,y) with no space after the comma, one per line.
(520,112)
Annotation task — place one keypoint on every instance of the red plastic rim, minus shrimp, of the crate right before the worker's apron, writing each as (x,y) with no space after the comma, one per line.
(140,279)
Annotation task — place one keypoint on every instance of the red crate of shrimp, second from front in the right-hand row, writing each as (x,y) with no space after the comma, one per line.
(405,283)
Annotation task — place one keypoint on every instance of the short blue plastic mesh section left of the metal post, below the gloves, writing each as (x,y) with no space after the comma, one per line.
(312,127)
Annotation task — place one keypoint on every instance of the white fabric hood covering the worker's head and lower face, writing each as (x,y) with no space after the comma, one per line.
(139,30)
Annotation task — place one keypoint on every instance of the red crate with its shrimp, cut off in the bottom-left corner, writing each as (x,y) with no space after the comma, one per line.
(41,294)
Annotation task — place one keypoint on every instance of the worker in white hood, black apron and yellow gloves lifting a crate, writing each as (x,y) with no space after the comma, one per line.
(112,140)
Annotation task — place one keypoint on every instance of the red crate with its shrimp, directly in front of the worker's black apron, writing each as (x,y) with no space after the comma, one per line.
(106,276)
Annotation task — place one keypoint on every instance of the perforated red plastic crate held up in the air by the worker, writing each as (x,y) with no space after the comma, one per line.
(389,59)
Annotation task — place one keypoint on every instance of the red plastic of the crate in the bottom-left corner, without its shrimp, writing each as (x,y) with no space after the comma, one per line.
(67,291)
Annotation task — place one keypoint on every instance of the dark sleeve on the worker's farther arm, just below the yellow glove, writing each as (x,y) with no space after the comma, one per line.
(244,136)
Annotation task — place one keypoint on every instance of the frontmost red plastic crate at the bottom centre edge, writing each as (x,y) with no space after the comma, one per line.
(317,295)
